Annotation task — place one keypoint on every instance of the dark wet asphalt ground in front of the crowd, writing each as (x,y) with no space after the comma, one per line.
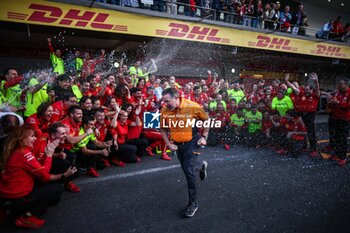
(247,190)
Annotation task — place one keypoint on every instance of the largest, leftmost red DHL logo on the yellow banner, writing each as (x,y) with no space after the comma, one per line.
(53,15)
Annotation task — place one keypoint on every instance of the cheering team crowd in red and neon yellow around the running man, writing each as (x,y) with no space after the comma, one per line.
(56,127)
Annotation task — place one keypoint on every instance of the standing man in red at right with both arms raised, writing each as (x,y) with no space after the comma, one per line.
(306,102)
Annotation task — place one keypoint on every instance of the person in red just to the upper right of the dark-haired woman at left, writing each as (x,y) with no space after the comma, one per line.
(61,107)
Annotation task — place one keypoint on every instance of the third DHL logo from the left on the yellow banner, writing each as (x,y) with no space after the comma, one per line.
(272,43)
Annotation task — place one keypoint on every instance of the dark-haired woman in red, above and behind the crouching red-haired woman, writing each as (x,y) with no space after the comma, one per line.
(41,120)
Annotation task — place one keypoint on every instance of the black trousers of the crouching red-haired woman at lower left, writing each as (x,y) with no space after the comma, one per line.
(37,201)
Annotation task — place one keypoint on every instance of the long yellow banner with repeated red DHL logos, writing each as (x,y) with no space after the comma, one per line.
(80,17)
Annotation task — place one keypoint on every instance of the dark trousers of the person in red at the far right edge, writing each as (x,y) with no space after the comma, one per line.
(341,133)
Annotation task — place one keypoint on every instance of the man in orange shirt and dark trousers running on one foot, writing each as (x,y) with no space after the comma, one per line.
(185,141)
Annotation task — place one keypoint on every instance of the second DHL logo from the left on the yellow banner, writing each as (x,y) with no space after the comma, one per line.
(196,33)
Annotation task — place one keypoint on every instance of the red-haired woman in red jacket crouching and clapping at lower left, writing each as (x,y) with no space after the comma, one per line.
(20,172)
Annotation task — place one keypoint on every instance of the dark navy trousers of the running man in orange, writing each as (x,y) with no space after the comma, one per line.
(187,154)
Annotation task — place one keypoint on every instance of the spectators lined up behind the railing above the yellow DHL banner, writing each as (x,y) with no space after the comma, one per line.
(250,13)
